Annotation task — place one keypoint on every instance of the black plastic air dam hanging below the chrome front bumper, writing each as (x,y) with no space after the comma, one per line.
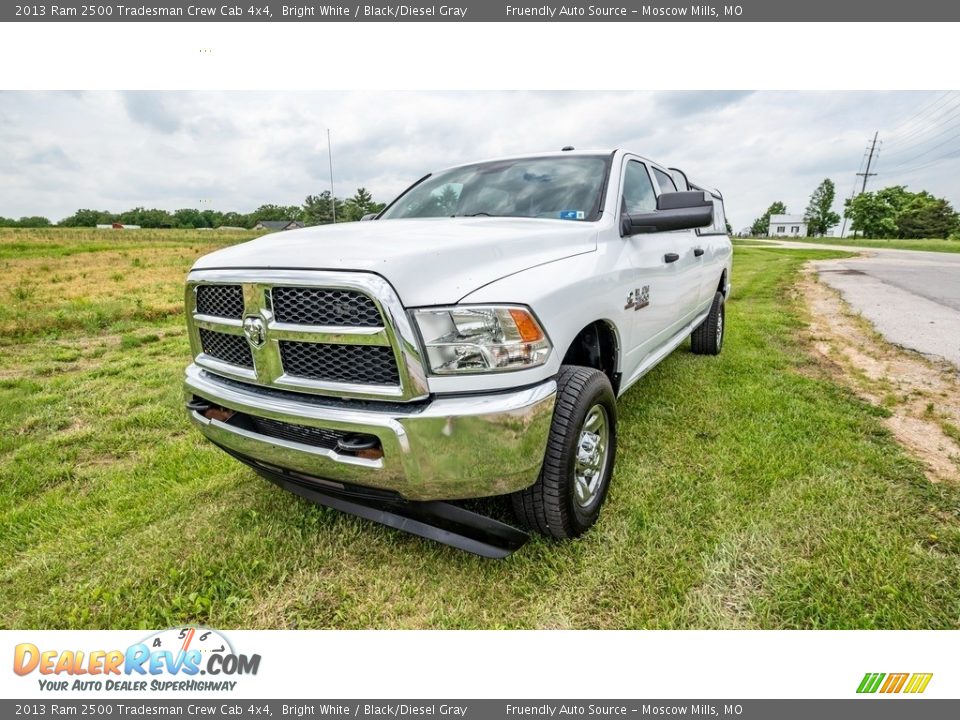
(443,522)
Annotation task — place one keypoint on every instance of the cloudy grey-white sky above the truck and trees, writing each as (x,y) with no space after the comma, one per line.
(60,151)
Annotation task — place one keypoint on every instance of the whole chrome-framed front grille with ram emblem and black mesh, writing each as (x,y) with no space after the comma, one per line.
(331,333)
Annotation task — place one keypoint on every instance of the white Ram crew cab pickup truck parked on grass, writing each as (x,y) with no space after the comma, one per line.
(468,341)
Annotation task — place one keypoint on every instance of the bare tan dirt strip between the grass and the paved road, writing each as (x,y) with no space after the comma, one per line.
(922,396)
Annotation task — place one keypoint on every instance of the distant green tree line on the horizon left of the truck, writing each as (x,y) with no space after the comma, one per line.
(316,210)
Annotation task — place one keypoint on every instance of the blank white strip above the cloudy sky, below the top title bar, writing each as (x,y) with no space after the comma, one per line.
(478,56)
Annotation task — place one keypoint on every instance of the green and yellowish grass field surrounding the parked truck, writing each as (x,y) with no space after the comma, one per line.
(750,490)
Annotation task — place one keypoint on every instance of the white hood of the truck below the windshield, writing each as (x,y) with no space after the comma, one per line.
(429,262)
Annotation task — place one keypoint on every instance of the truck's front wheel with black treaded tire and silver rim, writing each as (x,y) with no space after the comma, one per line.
(566,499)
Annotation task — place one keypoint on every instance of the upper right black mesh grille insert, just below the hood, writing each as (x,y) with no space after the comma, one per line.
(324,306)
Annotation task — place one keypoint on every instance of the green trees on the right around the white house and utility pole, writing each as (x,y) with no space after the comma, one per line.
(893,212)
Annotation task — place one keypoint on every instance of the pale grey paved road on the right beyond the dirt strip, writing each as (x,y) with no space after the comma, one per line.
(912,298)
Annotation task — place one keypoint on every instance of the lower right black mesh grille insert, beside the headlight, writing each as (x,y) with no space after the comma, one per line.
(362,364)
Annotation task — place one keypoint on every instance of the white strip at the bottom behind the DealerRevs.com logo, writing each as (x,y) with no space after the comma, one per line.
(544,664)
